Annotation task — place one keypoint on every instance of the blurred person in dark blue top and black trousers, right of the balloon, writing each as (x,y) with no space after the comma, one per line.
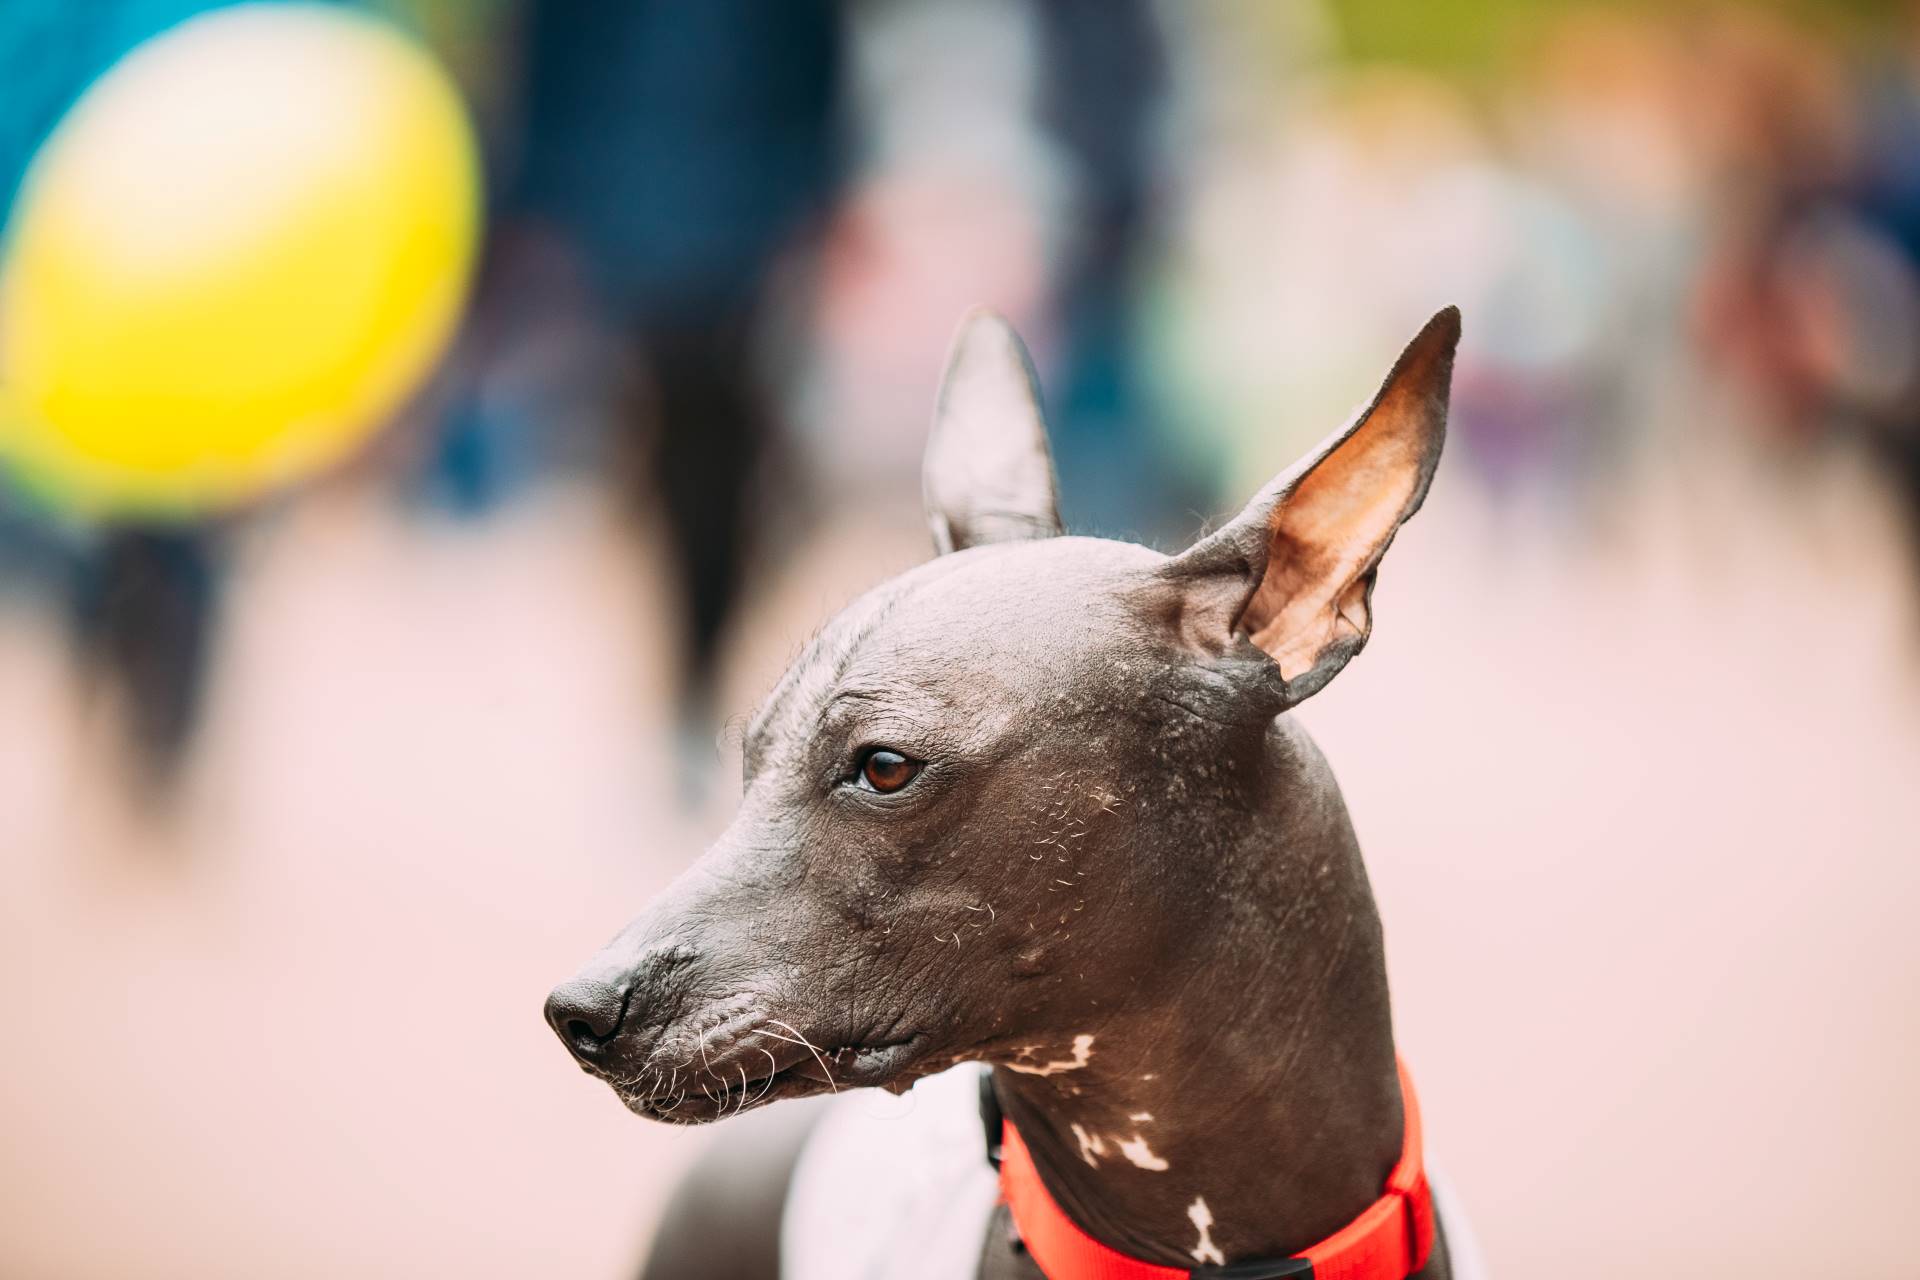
(681,156)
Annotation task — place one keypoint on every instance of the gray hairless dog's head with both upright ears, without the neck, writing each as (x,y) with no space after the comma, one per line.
(982,809)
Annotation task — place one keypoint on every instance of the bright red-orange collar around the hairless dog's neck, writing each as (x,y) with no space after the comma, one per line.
(1389,1241)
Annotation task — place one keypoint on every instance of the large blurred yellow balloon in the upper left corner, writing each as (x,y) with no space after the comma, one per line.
(233,260)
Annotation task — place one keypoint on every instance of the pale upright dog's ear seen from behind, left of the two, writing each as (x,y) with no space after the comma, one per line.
(988,475)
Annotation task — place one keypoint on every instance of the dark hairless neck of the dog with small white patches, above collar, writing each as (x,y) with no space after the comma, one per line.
(1255,1108)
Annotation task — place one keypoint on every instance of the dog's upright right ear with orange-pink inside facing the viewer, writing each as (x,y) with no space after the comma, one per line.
(1295,571)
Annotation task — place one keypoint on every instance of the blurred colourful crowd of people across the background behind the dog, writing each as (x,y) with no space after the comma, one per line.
(729,243)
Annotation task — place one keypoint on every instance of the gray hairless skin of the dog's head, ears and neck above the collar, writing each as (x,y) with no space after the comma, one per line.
(1115,832)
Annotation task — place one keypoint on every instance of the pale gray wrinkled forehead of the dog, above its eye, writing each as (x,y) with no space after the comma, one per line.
(997,615)
